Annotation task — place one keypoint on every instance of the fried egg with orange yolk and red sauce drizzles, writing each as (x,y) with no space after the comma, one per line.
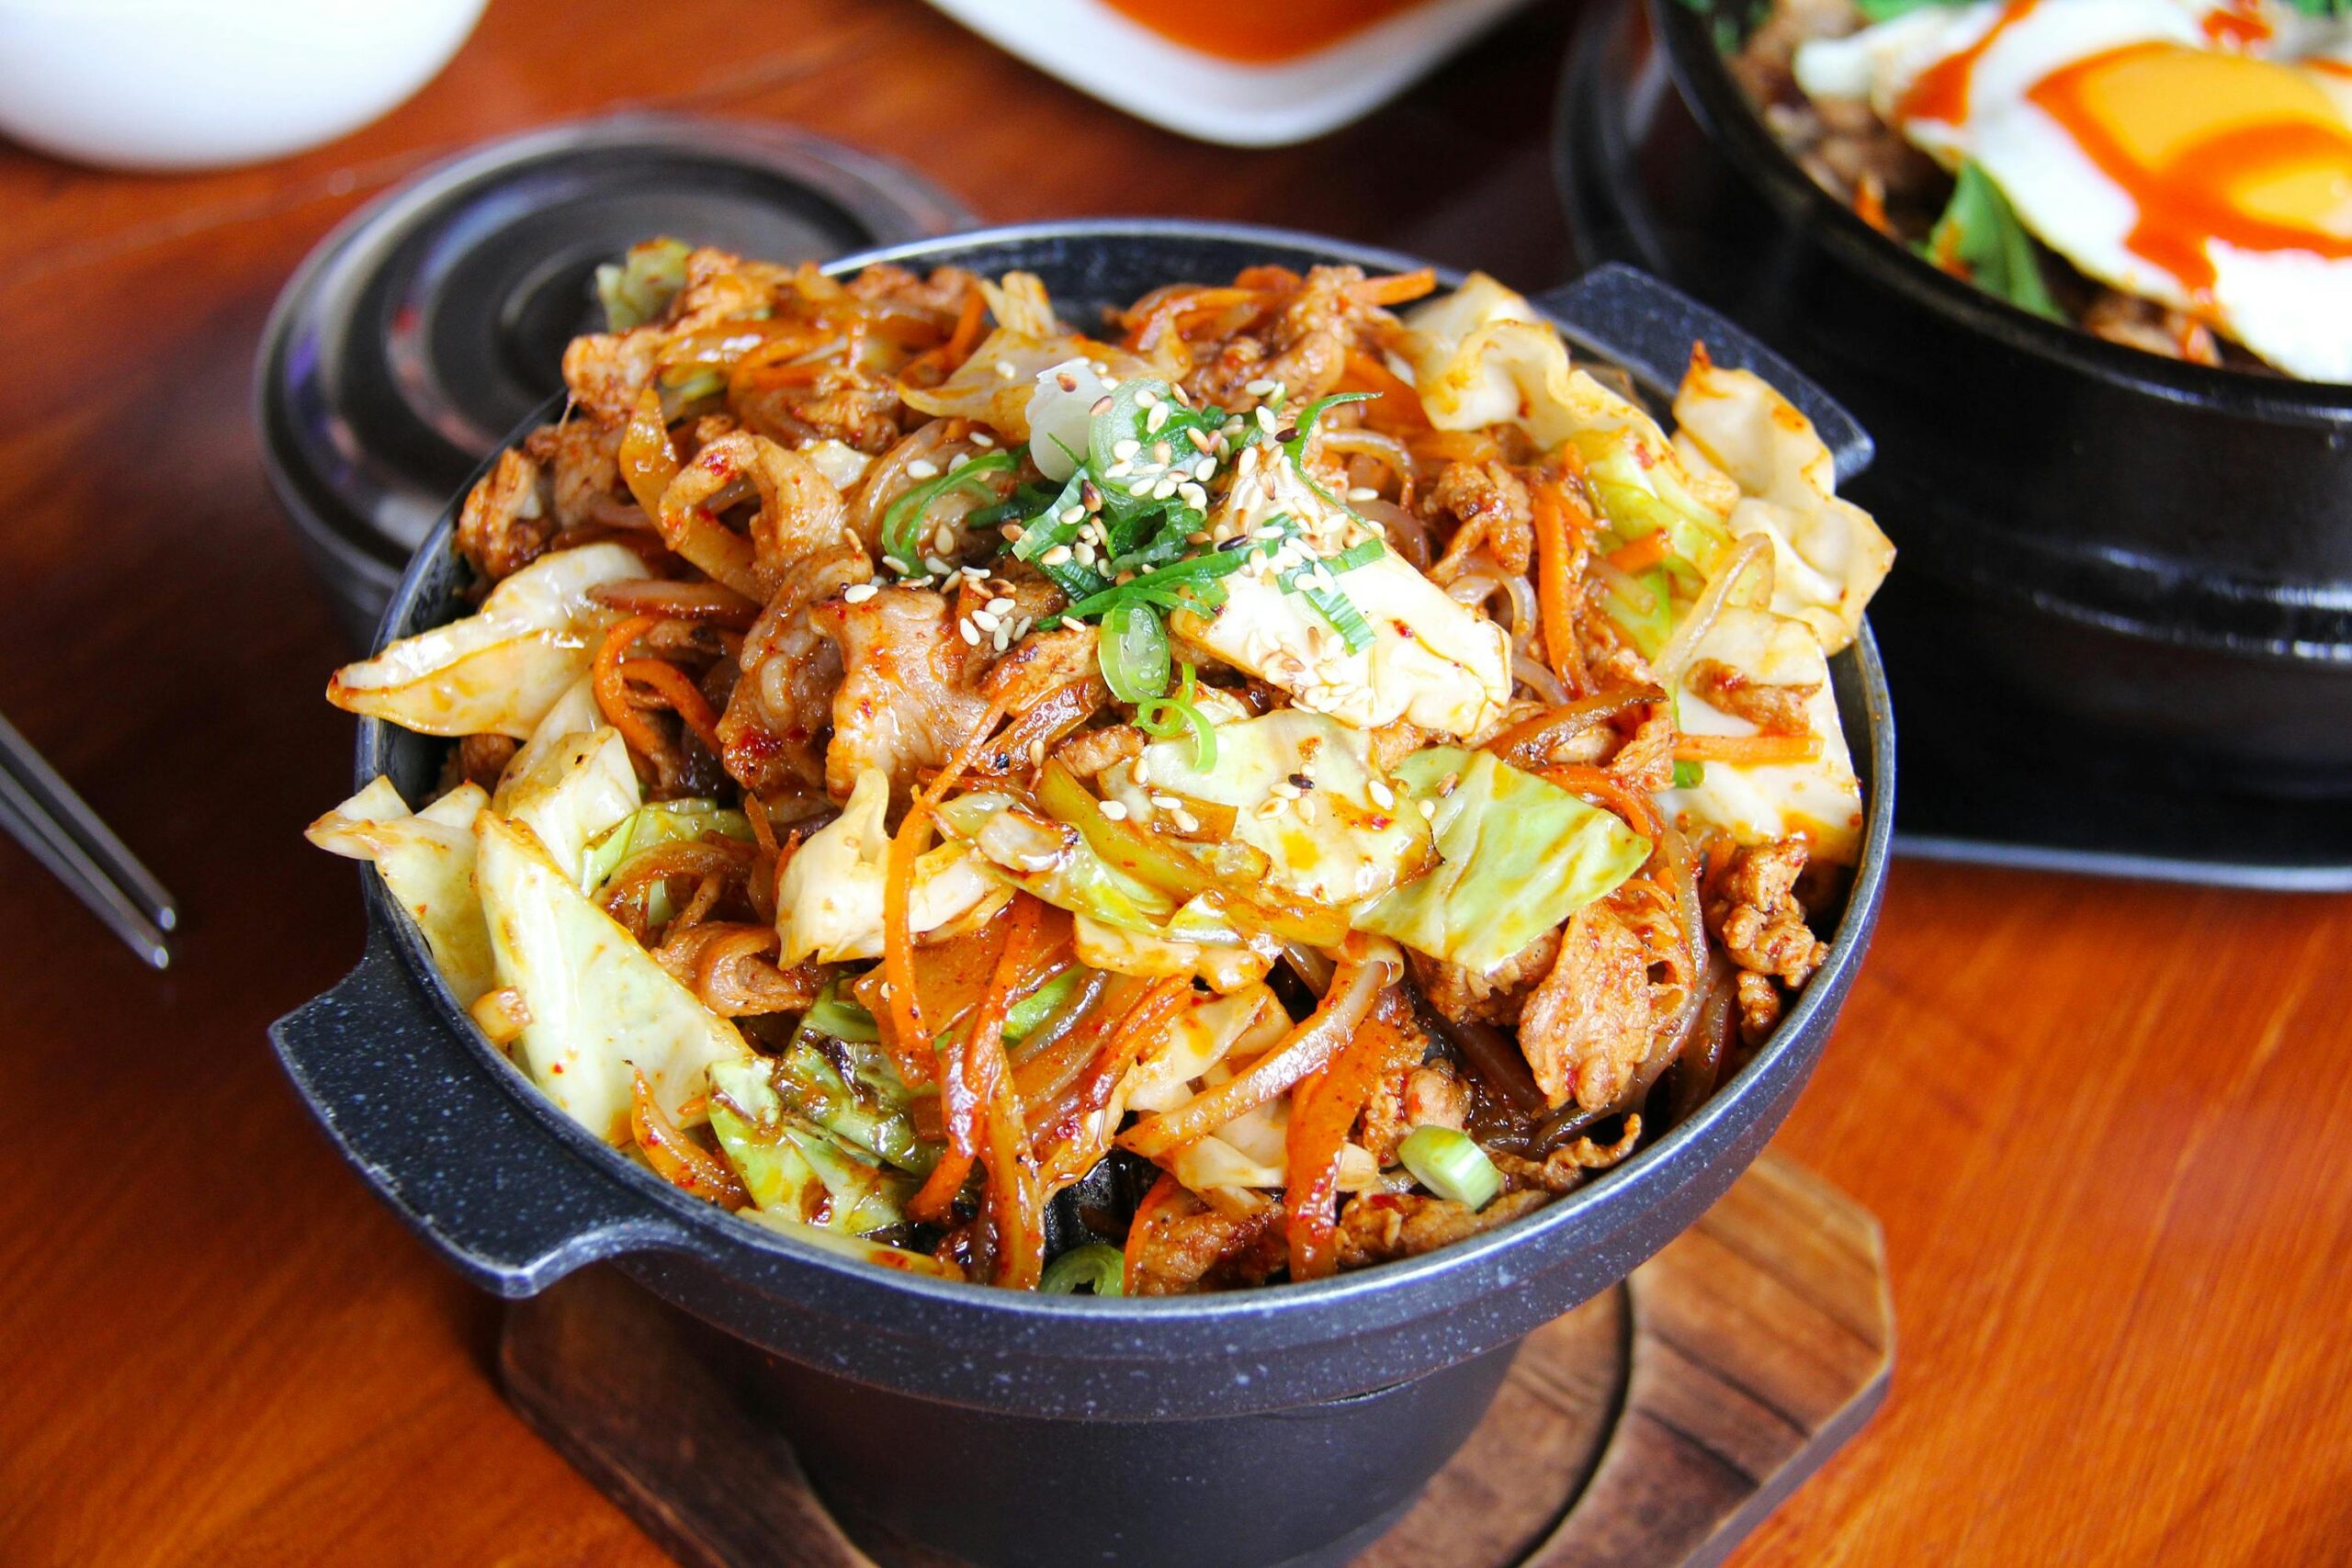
(2191,154)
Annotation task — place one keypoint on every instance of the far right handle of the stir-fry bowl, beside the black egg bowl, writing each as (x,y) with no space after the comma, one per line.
(1650,328)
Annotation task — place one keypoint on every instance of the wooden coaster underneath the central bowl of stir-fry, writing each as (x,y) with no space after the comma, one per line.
(1655,1426)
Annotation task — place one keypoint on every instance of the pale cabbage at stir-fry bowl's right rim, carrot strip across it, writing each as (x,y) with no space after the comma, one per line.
(1822,800)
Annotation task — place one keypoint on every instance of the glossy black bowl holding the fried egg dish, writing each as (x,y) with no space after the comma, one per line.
(2149,549)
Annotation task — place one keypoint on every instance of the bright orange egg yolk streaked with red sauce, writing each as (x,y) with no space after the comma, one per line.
(2210,147)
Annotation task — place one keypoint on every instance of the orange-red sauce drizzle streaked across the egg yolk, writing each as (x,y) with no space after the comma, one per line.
(2189,201)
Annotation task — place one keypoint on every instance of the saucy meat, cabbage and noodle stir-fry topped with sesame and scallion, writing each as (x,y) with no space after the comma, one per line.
(1281,782)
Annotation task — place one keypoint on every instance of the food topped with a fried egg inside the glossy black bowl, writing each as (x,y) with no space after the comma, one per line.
(2172,175)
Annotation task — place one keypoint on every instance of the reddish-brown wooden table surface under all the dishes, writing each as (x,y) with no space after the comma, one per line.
(2102,1123)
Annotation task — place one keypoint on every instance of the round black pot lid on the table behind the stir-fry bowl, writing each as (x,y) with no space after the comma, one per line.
(434,321)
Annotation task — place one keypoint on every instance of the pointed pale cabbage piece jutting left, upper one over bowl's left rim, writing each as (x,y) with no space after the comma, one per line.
(502,669)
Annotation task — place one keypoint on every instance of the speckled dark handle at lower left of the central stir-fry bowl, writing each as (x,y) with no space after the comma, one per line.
(446,1146)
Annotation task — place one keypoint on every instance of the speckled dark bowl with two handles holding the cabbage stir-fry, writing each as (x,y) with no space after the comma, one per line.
(1278,1426)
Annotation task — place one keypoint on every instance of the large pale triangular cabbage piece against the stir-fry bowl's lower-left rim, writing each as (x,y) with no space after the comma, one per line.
(601,1010)
